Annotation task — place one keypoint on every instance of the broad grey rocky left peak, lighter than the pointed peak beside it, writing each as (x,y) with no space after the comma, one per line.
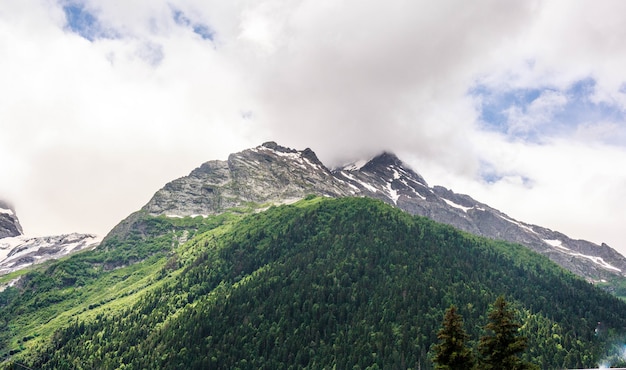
(269,174)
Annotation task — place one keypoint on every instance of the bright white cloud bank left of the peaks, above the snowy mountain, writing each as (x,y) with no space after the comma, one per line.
(88,125)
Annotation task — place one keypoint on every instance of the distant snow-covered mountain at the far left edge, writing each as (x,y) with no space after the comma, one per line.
(18,251)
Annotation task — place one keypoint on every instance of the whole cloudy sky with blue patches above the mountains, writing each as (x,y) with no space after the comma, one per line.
(520,104)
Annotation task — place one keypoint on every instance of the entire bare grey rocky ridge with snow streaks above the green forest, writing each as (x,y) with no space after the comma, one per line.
(272,174)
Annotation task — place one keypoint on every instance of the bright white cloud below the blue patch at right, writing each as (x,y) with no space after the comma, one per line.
(576,187)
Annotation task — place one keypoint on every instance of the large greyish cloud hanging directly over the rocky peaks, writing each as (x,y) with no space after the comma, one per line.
(343,69)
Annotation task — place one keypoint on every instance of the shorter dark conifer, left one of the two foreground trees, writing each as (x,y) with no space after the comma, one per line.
(451,351)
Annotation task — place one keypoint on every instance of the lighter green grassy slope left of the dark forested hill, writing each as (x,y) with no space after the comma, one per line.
(52,295)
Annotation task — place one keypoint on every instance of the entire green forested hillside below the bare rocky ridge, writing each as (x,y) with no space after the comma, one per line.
(344,283)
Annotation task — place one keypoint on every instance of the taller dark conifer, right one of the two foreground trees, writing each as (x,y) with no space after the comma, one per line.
(501,346)
